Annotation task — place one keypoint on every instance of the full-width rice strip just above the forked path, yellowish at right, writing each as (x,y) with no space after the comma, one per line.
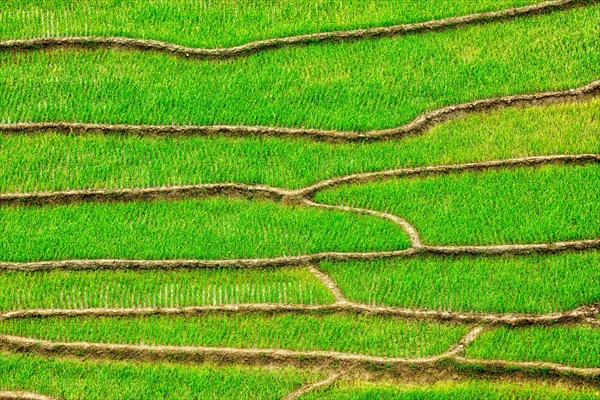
(58,162)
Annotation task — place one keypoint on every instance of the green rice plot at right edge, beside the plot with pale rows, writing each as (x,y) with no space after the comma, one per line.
(523,284)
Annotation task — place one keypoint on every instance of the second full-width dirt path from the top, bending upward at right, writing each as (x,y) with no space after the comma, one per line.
(417,126)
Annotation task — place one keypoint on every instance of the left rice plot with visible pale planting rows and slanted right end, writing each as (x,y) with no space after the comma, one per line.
(181,288)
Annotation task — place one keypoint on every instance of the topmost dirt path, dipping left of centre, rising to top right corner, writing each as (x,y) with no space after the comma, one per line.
(268,44)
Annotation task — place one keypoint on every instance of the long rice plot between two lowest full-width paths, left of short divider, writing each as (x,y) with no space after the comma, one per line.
(377,336)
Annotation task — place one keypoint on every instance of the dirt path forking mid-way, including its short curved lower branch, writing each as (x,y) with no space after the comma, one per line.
(298,196)
